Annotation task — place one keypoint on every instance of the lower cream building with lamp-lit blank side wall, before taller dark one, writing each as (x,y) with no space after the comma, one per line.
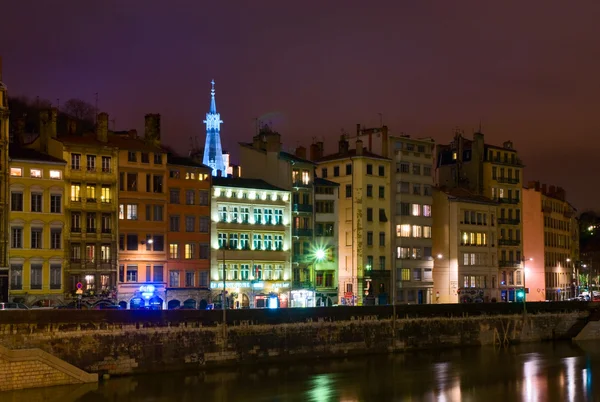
(464,247)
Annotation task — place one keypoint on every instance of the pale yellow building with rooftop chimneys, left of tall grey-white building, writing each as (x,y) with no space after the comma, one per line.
(365,257)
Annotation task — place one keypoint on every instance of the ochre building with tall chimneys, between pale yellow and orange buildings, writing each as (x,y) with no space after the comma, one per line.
(90,178)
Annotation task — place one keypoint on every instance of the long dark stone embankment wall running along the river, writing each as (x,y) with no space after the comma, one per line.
(132,342)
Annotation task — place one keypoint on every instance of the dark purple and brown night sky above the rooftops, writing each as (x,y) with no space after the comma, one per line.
(527,70)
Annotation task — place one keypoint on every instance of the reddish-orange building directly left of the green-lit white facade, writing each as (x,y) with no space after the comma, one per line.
(188,237)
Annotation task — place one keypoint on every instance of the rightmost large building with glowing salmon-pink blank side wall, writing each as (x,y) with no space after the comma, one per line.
(551,243)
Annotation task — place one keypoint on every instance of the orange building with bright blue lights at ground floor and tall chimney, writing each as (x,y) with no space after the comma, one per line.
(142,217)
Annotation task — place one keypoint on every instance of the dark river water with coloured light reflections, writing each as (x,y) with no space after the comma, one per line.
(542,372)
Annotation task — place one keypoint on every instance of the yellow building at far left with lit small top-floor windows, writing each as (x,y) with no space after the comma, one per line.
(37,225)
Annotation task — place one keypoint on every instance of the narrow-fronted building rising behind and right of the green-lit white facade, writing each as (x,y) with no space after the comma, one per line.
(264,158)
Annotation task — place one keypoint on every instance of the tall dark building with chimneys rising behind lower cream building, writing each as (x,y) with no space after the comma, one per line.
(496,173)
